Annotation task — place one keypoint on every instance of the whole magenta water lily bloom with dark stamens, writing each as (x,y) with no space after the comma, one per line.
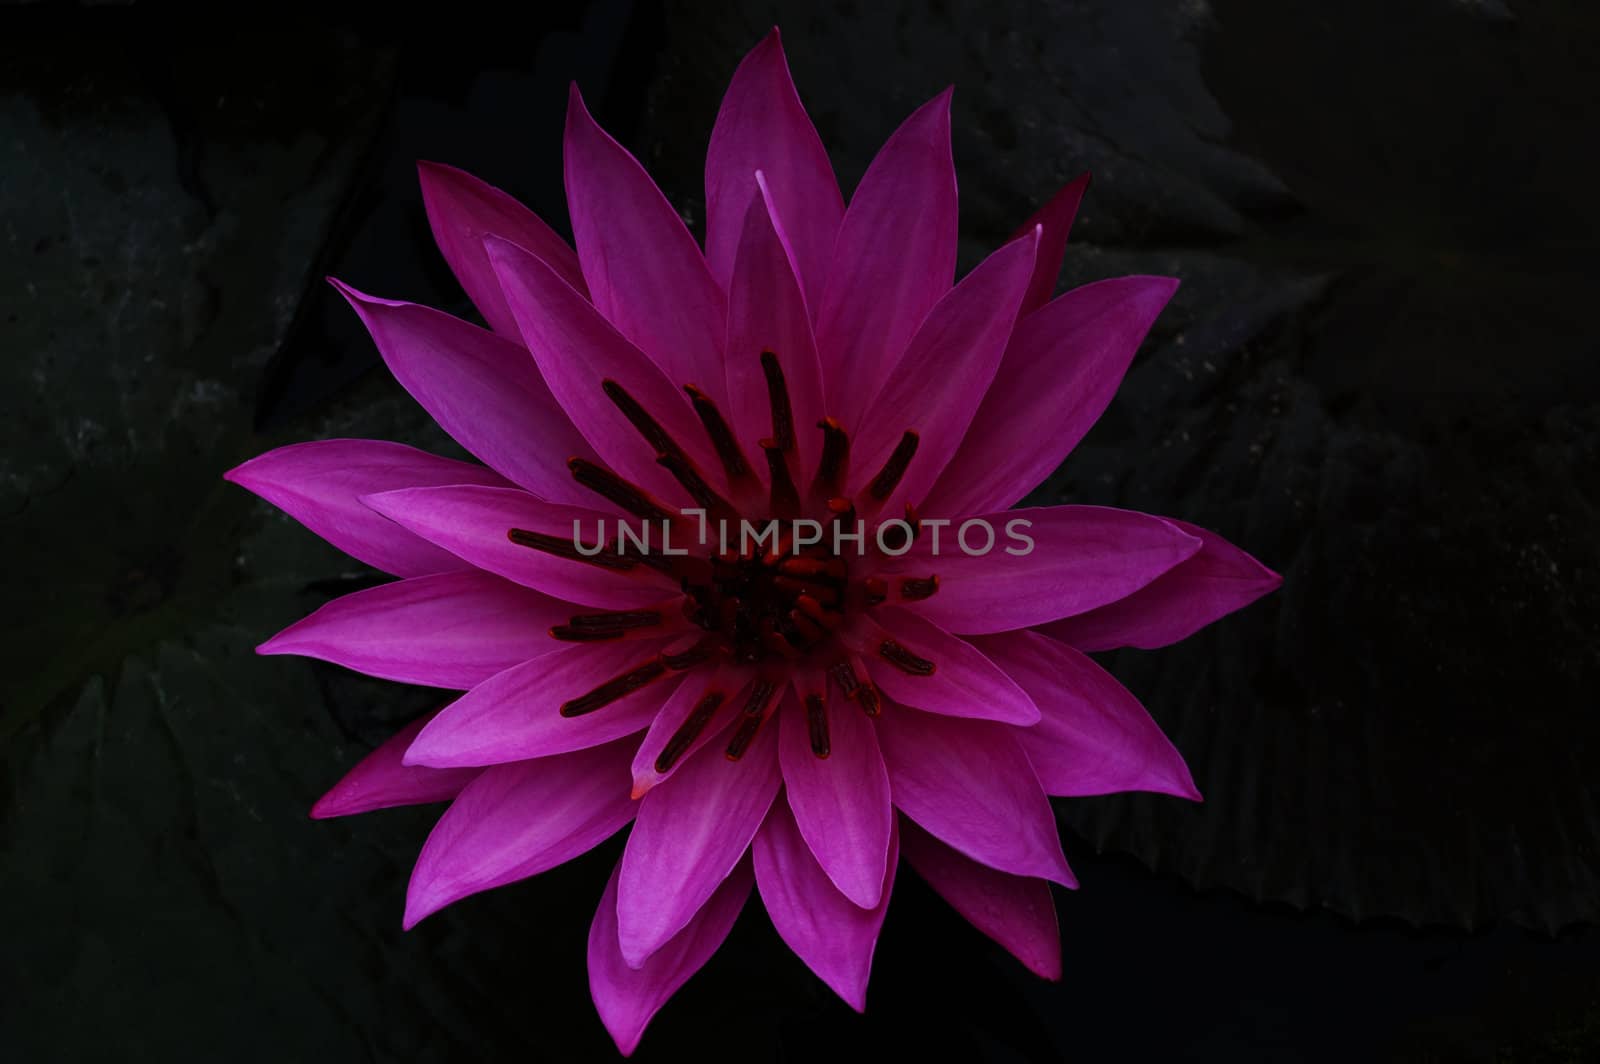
(790,718)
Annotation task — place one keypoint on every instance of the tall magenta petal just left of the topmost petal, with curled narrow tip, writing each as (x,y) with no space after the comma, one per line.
(644,270)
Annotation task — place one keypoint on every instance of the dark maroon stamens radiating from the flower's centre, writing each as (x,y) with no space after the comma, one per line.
(772,606)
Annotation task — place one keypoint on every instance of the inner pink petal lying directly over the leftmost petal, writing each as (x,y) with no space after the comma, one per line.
(474,524)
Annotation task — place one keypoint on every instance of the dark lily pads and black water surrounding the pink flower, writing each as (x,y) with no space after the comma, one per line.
(1380,377)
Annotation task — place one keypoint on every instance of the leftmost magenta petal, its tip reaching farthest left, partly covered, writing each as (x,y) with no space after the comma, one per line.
(321,484)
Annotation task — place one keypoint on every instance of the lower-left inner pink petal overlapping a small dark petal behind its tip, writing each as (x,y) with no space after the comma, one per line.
(518,714)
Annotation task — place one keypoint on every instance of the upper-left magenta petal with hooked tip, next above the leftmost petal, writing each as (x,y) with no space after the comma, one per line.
(482,390)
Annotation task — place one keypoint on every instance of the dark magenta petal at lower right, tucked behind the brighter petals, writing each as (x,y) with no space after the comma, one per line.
(1015,911)
